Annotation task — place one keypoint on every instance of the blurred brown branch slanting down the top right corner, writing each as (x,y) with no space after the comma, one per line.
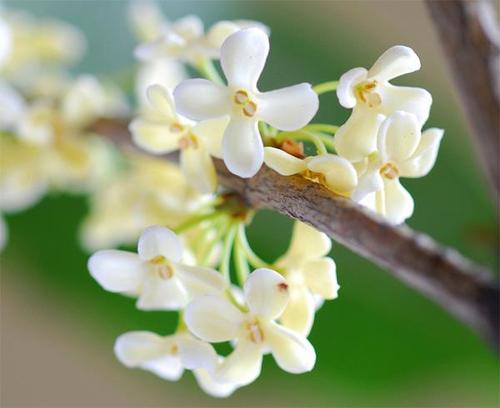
(472,57)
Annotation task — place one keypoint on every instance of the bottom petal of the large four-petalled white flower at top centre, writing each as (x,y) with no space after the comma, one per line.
(242,147)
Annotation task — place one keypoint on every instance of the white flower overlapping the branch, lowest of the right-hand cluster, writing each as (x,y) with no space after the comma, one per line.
(403,151)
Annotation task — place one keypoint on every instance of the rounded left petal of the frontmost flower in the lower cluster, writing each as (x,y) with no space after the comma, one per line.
(213,319)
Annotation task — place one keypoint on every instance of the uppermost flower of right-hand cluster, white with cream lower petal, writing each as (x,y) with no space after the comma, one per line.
(372,98)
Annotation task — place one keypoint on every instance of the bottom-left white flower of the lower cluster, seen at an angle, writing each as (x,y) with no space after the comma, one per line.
(169,356)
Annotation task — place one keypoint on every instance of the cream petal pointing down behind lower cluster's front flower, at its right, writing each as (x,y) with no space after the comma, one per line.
(299,313)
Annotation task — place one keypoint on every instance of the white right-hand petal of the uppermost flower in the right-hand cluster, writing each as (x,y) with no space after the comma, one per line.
(412,100)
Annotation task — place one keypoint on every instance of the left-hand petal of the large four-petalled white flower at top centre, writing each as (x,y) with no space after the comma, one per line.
(200,99)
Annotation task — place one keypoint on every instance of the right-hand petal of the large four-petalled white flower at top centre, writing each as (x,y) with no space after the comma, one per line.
(288,108)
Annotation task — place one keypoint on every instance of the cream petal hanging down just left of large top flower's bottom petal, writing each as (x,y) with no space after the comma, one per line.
(197,166)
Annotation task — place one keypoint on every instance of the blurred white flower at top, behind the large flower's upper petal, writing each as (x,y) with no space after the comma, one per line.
(185,40)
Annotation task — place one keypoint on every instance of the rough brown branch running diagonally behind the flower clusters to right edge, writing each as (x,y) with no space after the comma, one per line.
(465,289)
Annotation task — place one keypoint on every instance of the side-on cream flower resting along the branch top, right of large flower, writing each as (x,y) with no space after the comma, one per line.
(335,172)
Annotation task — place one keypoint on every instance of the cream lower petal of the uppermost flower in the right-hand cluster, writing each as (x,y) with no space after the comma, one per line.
(357,138)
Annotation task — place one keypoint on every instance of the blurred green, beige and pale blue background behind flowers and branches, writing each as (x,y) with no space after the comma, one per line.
(379,344)
